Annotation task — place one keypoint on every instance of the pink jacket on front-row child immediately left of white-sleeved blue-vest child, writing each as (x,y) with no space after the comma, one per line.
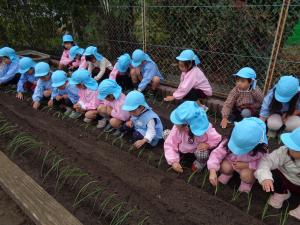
(117,111)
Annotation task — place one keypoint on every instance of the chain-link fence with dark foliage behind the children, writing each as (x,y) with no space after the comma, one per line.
(227,35)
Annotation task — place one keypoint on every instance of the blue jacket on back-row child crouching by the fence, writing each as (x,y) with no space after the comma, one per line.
(148,71)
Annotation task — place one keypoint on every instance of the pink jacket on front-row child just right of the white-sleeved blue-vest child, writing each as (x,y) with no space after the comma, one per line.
(178,142)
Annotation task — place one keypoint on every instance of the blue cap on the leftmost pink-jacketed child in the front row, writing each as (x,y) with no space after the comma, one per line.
(82,76)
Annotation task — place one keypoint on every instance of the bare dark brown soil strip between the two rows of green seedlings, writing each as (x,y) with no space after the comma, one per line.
(164,196)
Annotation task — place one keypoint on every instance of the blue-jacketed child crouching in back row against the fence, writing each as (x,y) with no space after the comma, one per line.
(144,71)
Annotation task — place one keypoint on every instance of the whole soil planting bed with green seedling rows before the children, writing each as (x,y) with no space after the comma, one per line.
(118,185)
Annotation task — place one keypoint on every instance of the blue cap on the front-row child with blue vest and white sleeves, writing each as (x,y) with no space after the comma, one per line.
(133,100)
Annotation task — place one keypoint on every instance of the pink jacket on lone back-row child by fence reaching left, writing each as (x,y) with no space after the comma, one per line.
(196,79)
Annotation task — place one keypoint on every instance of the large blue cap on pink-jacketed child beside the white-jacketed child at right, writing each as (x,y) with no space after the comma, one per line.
(246,135)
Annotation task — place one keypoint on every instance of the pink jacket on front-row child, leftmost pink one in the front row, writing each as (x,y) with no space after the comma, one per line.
(88,99)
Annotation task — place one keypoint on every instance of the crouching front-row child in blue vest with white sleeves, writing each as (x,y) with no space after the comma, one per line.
(146,125)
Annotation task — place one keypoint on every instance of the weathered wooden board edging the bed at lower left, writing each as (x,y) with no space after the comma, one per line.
(36,203)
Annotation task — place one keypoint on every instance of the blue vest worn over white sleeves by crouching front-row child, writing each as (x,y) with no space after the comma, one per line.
(140,124)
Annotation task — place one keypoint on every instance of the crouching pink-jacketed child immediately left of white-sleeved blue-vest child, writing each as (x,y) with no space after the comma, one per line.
(111,92)
